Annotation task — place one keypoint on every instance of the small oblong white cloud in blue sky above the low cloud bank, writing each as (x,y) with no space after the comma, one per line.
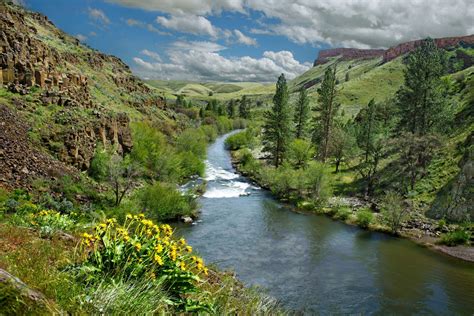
(186,23)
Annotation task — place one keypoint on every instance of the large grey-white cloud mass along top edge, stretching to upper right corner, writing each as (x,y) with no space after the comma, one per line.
(353,23)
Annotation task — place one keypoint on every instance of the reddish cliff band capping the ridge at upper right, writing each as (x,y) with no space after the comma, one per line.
(389,54)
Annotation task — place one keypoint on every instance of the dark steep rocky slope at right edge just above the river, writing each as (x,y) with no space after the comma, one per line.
(455,201)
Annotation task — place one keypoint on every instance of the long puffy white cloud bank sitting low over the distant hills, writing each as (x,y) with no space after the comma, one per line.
(203,61)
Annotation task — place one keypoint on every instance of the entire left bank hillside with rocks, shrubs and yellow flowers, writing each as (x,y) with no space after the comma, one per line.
(92,160)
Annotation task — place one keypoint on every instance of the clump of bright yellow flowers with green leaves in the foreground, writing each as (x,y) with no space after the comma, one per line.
(142,250)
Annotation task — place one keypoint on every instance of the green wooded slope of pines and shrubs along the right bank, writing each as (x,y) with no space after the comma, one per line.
(383,168)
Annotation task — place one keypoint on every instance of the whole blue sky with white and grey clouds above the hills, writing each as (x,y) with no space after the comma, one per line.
(245,40)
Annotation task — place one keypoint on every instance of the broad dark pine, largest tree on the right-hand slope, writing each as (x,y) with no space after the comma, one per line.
(420,100)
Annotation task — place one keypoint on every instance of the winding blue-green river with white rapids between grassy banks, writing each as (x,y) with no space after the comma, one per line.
(314,264)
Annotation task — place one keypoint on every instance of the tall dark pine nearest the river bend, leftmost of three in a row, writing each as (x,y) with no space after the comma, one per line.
(276,134)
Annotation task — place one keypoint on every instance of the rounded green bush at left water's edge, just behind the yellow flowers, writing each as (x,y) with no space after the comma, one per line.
(162,201)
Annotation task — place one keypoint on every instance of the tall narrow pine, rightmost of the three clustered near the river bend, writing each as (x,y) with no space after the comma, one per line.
(327,109)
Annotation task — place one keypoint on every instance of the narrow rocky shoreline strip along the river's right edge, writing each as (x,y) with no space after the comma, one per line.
(421,230)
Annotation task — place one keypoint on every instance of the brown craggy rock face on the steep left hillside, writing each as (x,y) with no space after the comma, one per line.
(26,63)
